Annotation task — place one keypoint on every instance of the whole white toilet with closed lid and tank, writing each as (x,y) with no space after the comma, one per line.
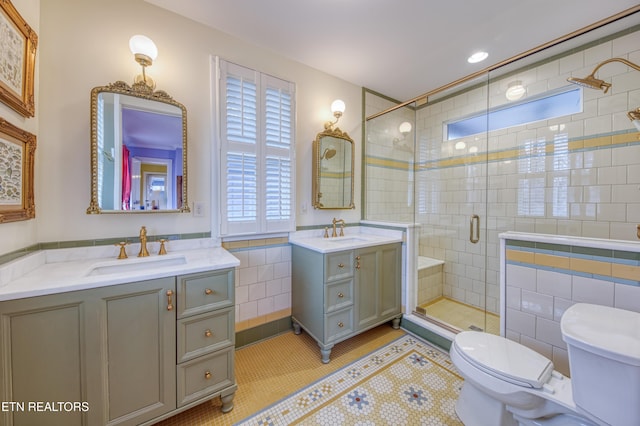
(508,384)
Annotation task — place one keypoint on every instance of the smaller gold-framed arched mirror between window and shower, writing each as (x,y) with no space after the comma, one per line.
(333,168)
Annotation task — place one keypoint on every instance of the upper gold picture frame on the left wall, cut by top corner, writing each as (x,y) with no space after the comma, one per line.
(18,46)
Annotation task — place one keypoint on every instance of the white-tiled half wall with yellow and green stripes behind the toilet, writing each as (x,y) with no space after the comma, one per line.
(544,275)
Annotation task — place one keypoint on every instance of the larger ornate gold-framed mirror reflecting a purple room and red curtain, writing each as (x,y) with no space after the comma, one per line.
(138,150)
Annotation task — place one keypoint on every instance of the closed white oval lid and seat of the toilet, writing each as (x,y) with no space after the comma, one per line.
(509,360)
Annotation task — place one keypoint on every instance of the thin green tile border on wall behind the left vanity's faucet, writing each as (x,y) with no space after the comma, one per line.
(8,257)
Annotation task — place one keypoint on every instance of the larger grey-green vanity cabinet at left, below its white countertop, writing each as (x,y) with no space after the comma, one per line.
(125,354)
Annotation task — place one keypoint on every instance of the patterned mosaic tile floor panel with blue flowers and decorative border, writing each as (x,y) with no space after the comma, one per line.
(407,382)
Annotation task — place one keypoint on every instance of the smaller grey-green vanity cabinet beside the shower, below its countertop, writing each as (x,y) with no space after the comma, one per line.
(340,294)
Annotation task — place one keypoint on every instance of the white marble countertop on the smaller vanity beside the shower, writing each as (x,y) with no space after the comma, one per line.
(354,238)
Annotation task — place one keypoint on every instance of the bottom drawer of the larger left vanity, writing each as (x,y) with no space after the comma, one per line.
(205,375)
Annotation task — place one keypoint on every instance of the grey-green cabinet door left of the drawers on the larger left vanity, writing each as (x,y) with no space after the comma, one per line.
(138,350)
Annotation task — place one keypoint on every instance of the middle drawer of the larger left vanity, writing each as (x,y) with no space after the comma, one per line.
(204,333)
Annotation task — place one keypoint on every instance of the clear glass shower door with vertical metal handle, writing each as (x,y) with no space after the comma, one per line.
(451,208)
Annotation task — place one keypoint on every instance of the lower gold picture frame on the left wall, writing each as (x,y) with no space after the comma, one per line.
(17,152)
